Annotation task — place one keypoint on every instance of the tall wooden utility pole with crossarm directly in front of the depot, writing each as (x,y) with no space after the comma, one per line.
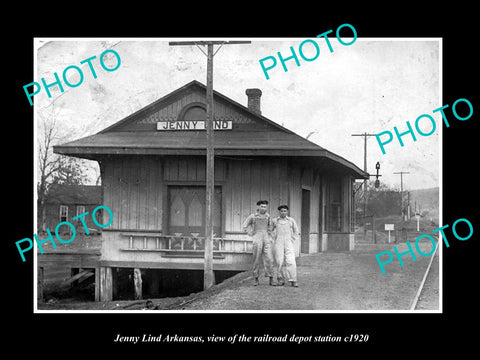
(208,276)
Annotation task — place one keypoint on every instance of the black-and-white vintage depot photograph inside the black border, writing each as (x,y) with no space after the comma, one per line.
(173,175)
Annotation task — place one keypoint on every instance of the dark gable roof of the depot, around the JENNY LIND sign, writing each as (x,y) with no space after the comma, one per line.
(253,134)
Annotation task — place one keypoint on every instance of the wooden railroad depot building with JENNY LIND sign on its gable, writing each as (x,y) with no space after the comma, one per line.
(153,164)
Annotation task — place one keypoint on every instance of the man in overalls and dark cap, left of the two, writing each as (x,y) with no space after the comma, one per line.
(258,226)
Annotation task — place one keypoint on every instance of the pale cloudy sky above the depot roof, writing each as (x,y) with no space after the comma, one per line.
(369,86)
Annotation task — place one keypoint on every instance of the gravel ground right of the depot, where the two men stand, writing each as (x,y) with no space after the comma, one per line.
(333,281)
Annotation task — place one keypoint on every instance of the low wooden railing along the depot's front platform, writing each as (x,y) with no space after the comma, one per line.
(183,243)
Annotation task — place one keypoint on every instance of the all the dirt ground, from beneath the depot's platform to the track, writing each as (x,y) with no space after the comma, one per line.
(345,281)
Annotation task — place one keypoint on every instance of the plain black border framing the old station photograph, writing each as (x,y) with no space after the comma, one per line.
(393,332)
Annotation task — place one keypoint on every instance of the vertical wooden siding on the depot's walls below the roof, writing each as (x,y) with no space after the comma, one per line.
(135,189)
